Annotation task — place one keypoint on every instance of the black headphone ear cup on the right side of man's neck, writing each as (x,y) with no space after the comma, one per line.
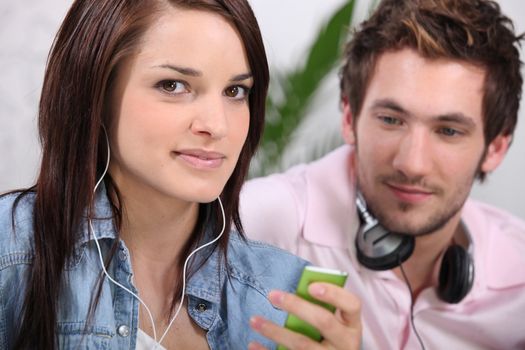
(456,275)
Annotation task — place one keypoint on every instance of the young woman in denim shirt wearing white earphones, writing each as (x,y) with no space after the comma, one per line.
(149,115)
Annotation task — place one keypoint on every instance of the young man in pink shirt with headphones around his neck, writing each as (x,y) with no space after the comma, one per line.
(430,94)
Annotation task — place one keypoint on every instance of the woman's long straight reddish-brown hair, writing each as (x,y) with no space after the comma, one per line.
(95,37)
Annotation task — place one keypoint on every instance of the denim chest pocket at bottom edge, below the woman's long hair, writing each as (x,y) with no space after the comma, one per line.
(76,336)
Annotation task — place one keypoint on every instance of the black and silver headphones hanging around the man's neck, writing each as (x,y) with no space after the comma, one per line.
(379,249)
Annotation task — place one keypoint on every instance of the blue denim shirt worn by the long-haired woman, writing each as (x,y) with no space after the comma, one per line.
(220,305)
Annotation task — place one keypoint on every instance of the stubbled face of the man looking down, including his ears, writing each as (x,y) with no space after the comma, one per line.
(419,140)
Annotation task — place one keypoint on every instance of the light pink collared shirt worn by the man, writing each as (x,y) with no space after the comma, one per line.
(310,211)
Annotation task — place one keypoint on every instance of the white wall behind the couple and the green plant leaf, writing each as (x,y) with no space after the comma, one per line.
(27,28)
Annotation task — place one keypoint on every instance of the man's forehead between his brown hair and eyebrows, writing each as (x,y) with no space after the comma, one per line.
(406,81)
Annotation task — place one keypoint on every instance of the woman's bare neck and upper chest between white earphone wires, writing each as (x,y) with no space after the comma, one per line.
(156,229)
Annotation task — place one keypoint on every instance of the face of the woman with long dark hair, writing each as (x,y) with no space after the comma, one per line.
(180,111)
